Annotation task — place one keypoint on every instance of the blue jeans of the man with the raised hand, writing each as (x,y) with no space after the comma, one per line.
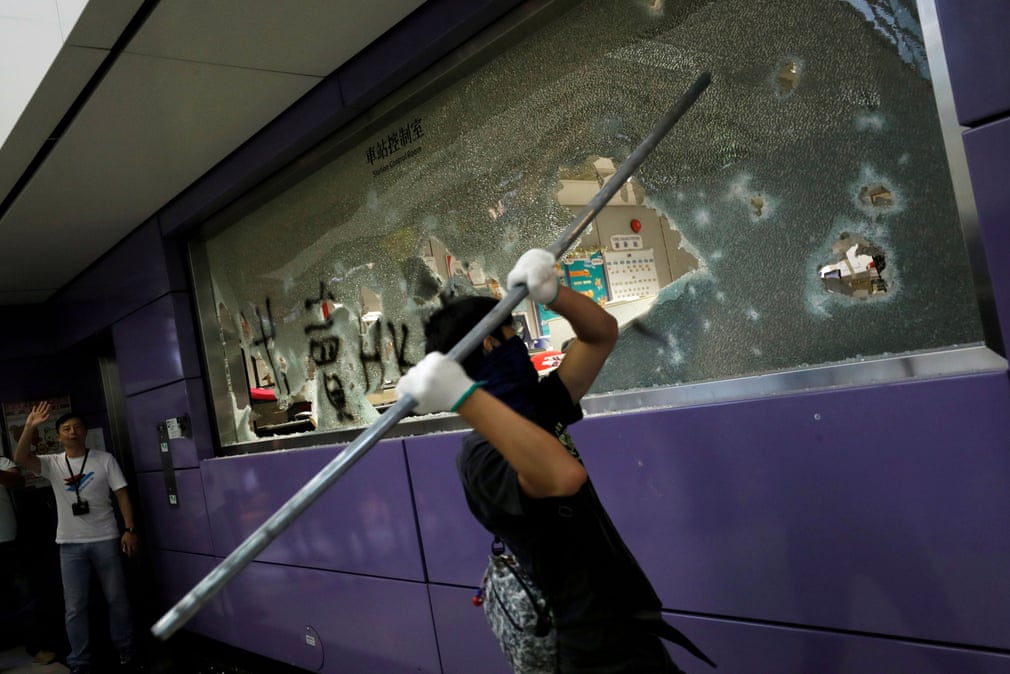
(77,560)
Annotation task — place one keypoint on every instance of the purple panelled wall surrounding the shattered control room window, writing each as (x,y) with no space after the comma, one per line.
(841,532)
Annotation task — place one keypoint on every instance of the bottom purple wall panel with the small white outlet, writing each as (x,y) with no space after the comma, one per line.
(361,624)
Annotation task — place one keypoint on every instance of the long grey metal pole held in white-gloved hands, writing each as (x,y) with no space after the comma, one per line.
(287,514)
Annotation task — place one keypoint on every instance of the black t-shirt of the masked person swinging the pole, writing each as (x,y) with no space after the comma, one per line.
(569,545)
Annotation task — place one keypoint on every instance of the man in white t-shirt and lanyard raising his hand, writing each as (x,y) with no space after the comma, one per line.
(87,532)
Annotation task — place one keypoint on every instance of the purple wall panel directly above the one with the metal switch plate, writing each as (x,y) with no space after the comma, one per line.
(157,345)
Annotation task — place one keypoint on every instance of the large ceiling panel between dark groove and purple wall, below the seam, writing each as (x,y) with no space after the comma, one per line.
(153,127)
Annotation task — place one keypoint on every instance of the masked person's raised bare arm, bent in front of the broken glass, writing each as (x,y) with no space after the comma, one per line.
(596,335)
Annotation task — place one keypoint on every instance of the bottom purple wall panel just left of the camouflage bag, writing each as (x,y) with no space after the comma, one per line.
(465,640)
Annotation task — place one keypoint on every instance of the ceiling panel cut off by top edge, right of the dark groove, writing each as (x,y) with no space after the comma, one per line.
(307,37)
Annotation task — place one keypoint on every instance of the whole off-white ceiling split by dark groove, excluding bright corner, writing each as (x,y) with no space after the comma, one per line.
(195,81)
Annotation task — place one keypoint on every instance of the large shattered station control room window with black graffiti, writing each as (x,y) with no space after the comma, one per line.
(800,215)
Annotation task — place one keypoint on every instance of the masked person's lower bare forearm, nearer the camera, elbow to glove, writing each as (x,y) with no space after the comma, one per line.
(544,465)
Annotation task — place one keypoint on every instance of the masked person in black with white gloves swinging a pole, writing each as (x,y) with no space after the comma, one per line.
(526,483)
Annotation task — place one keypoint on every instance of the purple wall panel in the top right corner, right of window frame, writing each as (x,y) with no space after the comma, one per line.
(976,35)
